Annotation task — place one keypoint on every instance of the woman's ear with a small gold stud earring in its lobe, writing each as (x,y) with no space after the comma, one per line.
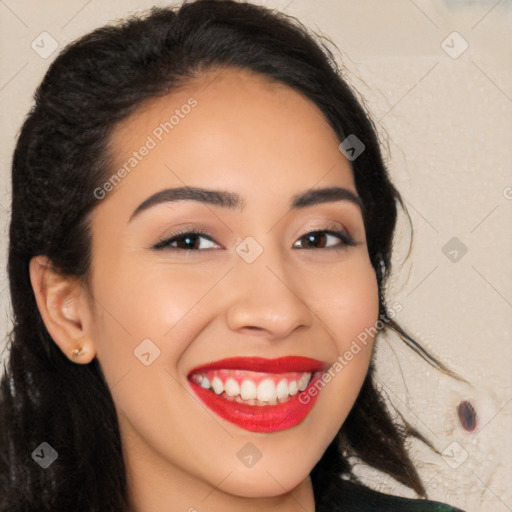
(64,308)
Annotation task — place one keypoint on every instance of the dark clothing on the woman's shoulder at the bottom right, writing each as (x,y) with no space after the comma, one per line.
(347,496)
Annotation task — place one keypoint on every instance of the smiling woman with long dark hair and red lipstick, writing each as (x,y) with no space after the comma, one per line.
(200,236)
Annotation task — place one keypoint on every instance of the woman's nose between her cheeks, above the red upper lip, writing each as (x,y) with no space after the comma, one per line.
(267,300)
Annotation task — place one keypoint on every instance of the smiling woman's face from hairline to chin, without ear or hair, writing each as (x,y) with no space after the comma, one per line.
(168,309)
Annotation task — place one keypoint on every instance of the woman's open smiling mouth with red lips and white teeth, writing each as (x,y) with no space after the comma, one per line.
(257,394)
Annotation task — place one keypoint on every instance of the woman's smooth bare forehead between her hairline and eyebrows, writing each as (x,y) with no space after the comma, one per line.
(230,127)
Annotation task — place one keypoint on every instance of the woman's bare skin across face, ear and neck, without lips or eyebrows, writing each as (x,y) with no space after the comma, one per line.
(268,143)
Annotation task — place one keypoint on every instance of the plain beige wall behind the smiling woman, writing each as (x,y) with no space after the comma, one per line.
(445,113)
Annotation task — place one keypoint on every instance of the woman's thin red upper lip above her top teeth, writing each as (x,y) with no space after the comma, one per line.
(260,364)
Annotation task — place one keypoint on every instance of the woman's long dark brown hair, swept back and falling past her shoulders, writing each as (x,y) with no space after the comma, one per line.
(62,156)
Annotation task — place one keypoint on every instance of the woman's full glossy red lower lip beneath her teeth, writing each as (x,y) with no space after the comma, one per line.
(259,418)
